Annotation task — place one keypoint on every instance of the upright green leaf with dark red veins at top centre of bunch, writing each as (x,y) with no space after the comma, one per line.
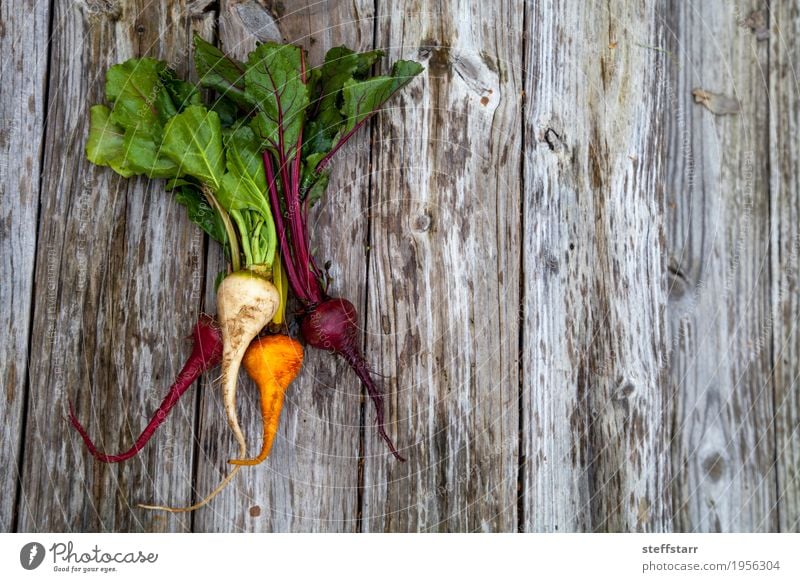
(273,81)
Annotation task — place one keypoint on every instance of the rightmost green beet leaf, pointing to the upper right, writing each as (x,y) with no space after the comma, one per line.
(363,98)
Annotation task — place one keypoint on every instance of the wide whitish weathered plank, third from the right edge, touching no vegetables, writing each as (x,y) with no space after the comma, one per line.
(595,439)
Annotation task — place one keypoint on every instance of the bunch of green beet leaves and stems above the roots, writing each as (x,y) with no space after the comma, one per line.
(268,111)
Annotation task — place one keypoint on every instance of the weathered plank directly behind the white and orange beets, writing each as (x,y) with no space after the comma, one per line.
(310,481)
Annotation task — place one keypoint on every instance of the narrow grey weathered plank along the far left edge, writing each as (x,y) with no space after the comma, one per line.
(23,67)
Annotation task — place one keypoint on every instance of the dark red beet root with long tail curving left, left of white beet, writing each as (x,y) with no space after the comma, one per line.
(206,354)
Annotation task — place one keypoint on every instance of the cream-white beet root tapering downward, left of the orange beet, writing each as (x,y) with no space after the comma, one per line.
(246,302)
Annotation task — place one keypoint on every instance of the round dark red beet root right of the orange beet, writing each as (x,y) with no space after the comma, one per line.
(333,326)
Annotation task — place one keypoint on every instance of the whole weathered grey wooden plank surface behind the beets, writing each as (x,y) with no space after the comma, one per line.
(573,241)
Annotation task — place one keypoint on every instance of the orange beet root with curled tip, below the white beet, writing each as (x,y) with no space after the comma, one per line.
(272,362)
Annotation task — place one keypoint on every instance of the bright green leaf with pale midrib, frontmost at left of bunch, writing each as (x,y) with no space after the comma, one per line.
(193,141)
